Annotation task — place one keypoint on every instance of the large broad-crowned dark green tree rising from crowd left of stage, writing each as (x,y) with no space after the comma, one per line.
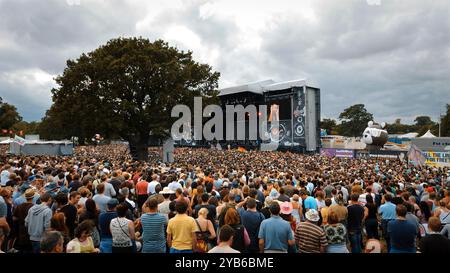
(127,88)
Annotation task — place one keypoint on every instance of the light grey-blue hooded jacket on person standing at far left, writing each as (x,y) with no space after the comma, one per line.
(38,220)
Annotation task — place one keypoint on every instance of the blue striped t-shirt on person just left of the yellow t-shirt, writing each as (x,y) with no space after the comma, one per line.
(153,227)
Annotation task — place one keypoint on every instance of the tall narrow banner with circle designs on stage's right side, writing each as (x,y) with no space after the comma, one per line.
(298,116)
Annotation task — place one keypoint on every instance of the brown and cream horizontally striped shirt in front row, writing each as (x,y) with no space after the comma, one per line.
(310,238)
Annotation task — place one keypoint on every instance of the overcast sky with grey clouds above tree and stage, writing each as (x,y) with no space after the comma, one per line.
(393,57)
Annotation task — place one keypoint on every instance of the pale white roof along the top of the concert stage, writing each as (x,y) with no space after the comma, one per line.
(261,87)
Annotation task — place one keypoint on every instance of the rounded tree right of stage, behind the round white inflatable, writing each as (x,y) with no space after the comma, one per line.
(354,120)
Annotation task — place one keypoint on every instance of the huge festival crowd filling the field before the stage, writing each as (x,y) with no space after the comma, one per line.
(220,201)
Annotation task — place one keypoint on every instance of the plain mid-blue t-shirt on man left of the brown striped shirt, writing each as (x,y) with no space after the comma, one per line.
(275,232)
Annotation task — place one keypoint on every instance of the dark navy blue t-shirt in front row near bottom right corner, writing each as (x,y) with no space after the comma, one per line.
(402,234)
